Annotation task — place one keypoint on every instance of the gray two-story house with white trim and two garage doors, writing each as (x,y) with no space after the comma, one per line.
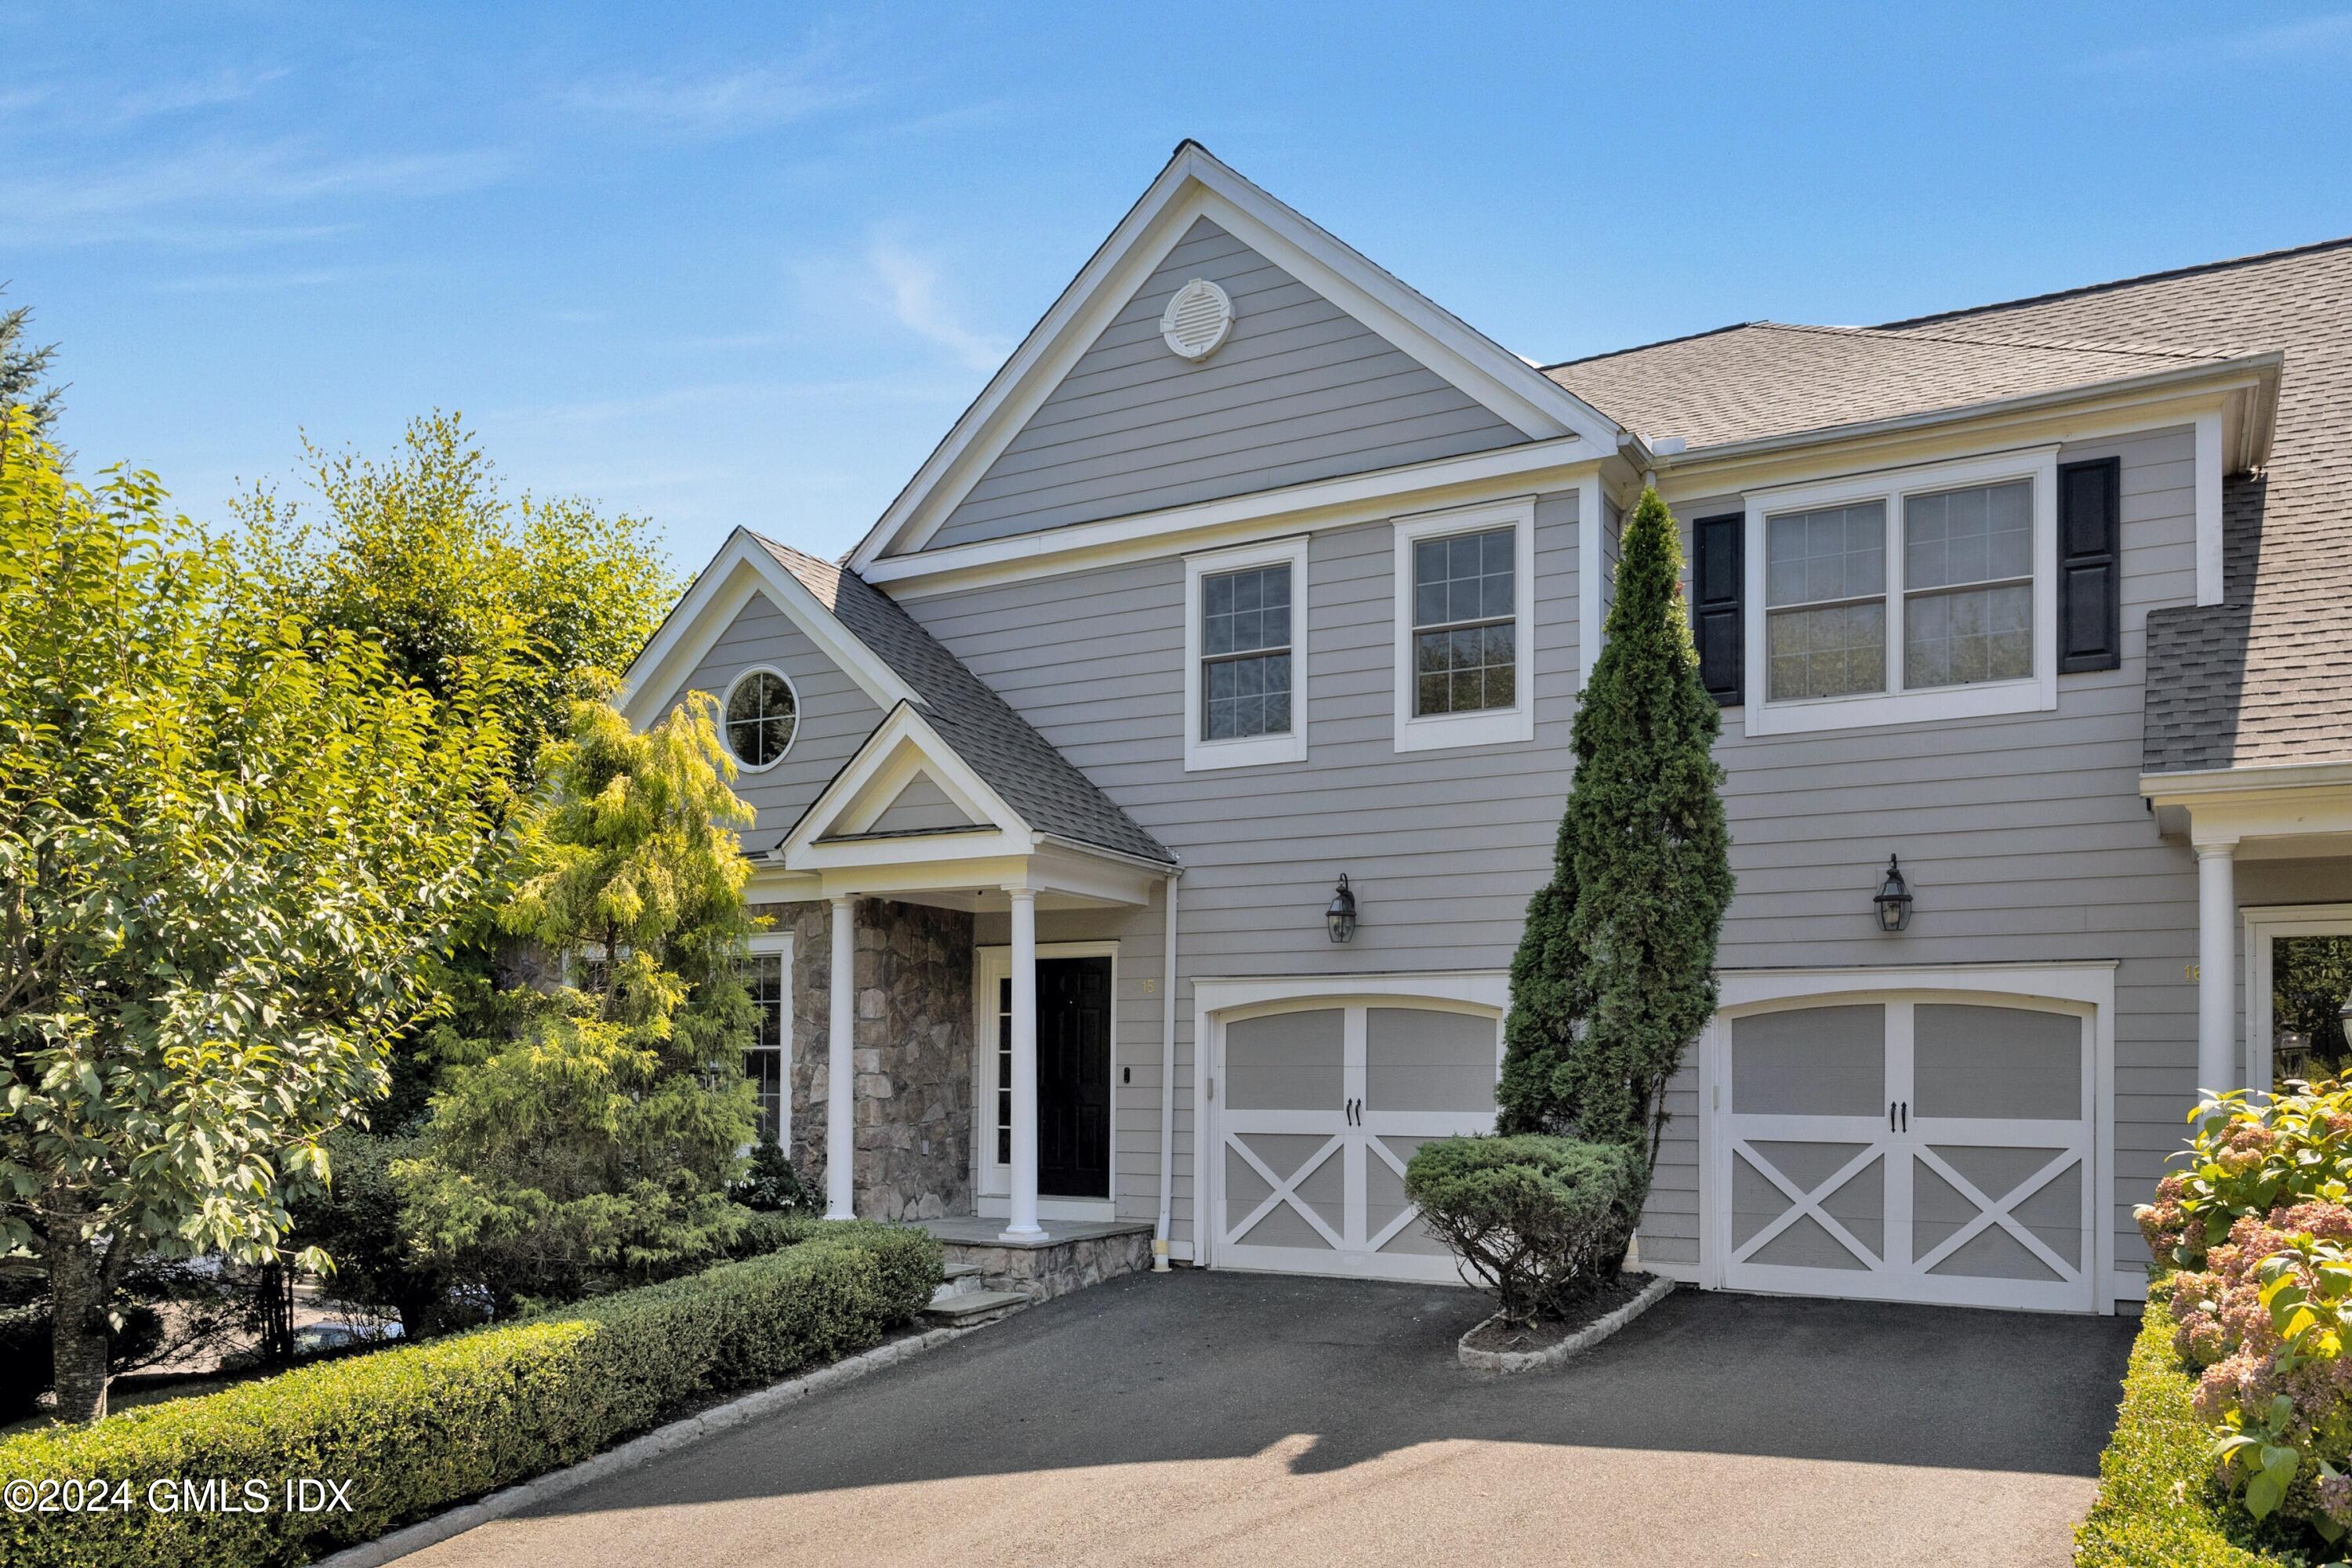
(1259,589)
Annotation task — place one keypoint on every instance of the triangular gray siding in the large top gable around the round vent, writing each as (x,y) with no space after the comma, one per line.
(1299,391)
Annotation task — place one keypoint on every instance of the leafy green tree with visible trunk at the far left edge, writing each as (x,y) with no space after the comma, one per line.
(229,843)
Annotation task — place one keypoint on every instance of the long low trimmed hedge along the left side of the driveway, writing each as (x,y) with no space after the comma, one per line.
(432,1426)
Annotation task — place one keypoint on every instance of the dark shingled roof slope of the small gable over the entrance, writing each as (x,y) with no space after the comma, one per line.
(996,742)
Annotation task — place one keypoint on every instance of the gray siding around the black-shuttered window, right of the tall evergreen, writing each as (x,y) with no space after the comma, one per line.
(2024,838)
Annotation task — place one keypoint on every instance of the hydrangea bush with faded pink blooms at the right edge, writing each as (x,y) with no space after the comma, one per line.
(2261,1233)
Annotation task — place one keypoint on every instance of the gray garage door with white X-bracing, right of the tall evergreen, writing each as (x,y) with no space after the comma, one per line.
(1911,1151)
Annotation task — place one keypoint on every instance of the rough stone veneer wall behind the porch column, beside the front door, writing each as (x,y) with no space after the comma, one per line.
(911,1054)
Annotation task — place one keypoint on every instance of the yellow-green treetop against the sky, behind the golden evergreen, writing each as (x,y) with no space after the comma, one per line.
(535,601)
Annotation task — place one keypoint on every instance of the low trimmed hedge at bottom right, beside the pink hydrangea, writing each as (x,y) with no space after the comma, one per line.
(2156,1501)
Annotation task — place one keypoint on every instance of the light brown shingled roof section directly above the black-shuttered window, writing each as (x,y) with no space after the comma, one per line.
(1765,380)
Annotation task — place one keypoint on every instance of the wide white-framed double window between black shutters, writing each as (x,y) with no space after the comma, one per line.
(1904,596)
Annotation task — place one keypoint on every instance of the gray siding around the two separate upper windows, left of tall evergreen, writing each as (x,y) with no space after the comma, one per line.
(1443,847)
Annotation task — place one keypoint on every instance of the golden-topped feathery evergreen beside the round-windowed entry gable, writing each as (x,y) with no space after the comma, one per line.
(599,1144)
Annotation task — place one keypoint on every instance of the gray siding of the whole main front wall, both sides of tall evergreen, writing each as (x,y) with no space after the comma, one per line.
(2024,836)
